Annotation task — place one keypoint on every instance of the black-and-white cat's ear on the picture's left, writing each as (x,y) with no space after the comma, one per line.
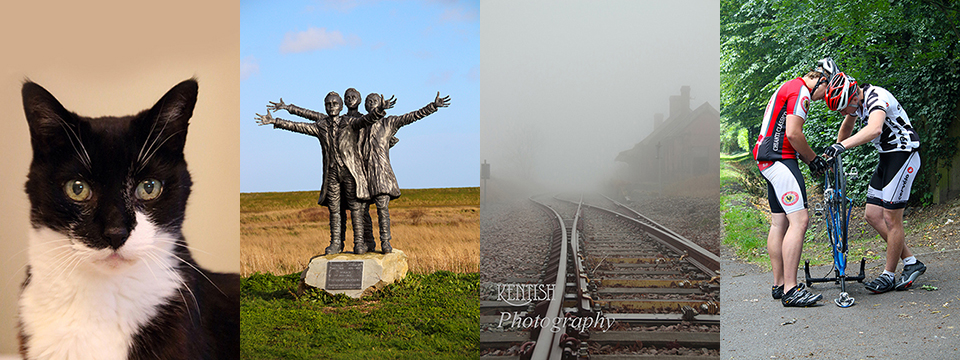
(50,123)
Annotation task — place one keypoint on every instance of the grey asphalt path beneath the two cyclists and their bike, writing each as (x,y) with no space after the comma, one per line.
(912,324)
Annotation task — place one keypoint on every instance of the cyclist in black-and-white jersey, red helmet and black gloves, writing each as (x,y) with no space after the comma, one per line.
(888,127)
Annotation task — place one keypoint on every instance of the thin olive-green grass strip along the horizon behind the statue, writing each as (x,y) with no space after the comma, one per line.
(271,201)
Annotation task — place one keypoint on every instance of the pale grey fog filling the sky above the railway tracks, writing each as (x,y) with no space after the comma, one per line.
(566,86)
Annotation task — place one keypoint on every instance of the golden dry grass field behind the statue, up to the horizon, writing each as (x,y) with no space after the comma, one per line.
(437,228)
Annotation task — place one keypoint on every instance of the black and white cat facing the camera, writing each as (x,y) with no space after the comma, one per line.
(109,273)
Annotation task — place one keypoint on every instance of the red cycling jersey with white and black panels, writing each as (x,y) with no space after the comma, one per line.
(792,98)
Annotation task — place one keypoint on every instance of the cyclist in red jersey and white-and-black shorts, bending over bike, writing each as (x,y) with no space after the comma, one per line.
(780,144)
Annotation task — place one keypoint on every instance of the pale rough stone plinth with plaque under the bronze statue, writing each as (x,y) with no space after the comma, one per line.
(355,275)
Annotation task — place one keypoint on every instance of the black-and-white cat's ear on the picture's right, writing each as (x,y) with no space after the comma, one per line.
(168,119)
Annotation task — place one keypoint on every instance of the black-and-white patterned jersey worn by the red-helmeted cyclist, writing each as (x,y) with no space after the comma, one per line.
(897,133)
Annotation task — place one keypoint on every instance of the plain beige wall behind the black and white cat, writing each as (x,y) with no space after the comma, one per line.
(117,58)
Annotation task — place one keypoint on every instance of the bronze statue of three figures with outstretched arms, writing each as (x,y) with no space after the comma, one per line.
(355,149)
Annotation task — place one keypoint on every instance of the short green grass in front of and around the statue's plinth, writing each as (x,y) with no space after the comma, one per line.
(432,316)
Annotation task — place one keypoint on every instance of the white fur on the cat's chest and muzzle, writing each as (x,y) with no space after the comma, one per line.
(89,304)
